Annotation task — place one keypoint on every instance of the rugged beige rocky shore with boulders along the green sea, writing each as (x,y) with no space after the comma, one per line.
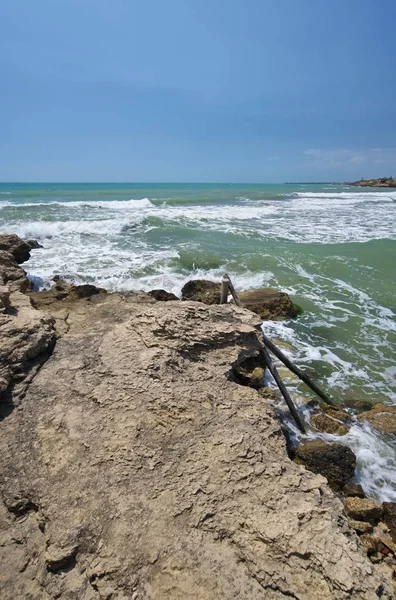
(141,458)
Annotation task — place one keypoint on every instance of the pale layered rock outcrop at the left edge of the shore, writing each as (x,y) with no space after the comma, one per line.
(27,337)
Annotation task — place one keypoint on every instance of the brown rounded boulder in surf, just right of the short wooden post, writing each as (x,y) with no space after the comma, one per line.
(268,303)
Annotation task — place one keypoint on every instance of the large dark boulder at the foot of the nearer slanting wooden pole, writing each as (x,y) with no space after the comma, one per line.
(335,461)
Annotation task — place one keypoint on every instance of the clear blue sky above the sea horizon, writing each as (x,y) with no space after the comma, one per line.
(197,90)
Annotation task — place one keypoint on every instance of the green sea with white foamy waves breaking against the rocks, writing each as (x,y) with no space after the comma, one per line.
(332,247)
